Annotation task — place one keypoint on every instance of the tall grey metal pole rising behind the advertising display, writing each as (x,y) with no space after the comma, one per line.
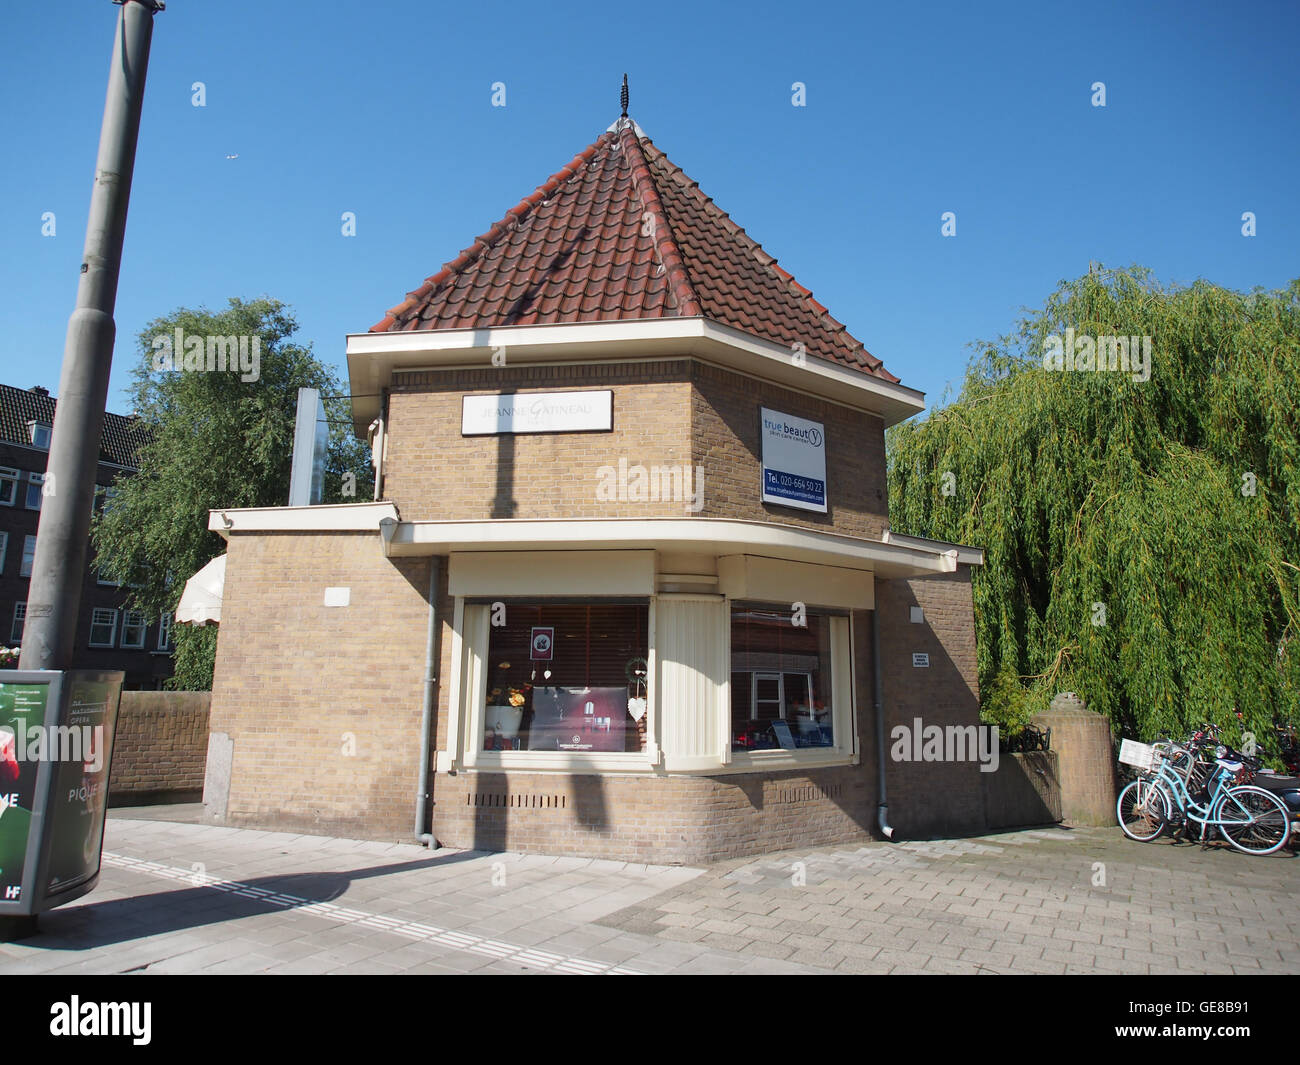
(58,572)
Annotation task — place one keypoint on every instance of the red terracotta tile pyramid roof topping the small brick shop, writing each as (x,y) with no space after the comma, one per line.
(622,233)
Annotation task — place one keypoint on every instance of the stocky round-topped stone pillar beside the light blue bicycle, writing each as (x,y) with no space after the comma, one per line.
(1087,761)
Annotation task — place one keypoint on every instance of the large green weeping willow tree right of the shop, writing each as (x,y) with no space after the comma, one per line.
(1141,525)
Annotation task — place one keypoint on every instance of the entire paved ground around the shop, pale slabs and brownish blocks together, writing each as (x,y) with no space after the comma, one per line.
(188,898)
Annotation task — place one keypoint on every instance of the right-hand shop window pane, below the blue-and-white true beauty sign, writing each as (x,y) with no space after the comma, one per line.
(781,679)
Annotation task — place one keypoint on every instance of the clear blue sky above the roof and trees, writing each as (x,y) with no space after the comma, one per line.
(913,110)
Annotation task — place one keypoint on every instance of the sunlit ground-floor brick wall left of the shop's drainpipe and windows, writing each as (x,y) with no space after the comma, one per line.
(322,704)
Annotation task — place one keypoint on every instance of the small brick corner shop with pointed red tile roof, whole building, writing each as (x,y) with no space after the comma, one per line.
(627,569)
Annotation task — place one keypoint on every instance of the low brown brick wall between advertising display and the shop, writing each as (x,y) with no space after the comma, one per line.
(159,748)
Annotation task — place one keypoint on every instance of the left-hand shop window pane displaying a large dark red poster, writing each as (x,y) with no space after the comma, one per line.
(567,677)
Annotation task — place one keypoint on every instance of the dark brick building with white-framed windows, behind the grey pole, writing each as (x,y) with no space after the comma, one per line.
(109,635)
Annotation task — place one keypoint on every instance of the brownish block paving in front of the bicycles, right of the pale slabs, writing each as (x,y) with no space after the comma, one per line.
(1034,902)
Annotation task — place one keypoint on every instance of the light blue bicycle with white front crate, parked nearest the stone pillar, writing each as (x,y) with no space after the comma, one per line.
(1253,820)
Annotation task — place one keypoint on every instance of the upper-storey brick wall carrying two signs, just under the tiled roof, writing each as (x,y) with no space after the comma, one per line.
(674,413)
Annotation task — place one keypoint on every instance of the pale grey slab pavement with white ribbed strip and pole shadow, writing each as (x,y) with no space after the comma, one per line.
(185,898)
